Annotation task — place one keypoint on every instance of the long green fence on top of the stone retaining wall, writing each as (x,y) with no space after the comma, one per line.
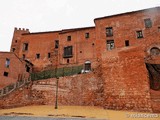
(59,72)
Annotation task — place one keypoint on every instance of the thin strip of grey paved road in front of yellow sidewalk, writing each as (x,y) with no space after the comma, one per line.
(39,118)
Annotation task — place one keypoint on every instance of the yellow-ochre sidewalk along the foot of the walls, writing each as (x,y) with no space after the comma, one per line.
(77,112)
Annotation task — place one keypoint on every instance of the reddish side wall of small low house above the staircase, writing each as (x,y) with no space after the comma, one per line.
(15,70)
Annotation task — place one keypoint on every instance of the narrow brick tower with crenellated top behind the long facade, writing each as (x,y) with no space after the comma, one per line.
(15,46)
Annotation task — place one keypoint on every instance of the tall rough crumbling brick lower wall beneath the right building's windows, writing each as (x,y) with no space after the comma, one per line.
(126,80)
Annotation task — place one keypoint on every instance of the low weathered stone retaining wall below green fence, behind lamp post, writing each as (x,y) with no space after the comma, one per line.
(84,89)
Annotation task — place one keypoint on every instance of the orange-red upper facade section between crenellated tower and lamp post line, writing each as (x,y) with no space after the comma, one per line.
(41,43)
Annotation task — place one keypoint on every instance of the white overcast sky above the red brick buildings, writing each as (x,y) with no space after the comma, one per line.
(50,15)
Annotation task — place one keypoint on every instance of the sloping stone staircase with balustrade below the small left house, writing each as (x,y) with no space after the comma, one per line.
(12,87)
